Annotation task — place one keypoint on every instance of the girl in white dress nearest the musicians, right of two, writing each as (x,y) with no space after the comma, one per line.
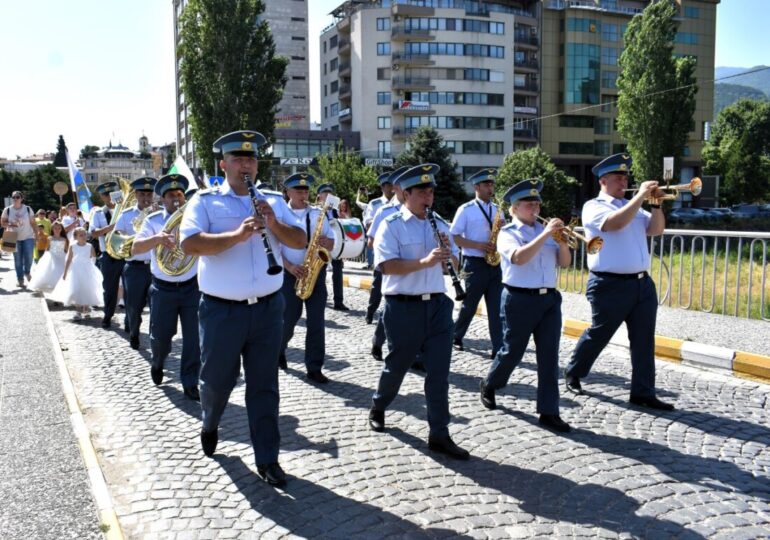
(81,284)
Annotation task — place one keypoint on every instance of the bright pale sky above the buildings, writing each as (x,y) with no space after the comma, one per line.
(97,71)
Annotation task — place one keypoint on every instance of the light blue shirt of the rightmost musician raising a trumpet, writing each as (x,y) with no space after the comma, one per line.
(625,251)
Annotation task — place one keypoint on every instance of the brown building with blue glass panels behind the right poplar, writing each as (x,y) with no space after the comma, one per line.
(582,41)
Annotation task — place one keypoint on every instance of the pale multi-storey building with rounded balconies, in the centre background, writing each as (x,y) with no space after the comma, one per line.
(469,69)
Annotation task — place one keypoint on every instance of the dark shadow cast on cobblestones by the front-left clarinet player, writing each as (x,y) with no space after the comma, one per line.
(312,511)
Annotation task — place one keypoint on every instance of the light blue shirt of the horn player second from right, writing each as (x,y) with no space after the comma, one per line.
(540,271)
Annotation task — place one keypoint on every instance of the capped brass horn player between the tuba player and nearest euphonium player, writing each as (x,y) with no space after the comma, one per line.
(136,273)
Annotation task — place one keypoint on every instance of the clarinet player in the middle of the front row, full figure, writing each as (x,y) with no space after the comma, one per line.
(418,313)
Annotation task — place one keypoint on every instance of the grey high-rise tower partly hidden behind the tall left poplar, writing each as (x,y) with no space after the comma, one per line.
(289,25)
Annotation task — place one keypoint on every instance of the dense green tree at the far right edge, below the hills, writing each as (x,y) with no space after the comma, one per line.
(739,151)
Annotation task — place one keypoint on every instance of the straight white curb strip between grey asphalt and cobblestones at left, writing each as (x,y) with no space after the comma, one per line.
(107,516)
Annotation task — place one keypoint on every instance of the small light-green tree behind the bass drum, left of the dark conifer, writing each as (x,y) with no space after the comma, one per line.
(344,170)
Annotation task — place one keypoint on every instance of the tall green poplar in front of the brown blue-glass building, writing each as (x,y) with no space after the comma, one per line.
(656,92)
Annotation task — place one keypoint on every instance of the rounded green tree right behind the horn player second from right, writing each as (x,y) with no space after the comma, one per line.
(558,189)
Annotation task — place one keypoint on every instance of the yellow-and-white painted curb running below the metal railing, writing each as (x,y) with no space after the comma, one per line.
(739,363)
